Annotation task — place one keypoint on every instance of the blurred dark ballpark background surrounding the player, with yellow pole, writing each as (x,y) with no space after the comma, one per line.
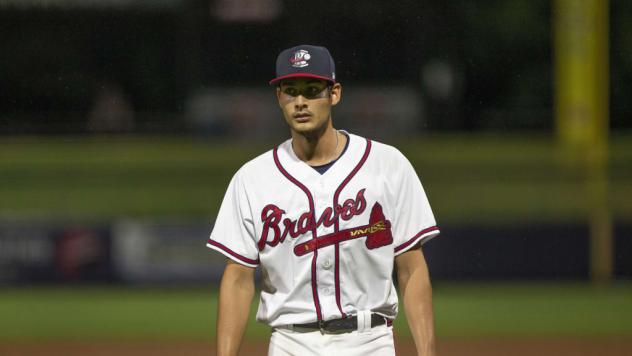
(122,121)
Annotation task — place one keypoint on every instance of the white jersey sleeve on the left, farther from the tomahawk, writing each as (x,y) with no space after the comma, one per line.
(233,234)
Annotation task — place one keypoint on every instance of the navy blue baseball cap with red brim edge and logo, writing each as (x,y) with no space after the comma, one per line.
(305,61)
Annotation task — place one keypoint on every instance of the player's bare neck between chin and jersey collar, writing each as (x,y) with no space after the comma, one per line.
(319,149)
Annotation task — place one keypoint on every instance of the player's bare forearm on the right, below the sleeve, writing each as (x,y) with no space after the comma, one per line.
(416,292)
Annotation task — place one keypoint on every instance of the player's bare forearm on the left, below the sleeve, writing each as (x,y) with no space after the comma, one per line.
(236,291)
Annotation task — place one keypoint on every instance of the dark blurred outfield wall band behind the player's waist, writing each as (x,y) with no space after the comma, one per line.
(141,252)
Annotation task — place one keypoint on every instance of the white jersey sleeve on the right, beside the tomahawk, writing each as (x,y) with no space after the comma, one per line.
(413,221)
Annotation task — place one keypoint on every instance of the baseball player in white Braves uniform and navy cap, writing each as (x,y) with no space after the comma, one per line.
(326,215)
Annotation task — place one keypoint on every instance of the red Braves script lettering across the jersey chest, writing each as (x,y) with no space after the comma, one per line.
(279,228)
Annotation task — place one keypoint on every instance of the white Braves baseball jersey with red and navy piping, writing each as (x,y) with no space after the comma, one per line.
(325,243)
